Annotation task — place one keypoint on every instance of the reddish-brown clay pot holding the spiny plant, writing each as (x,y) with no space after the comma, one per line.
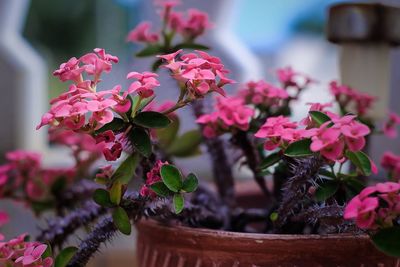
(161,246)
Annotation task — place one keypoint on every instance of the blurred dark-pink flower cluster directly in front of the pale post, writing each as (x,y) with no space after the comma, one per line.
(351,99)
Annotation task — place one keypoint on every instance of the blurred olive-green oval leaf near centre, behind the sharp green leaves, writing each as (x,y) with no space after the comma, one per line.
(186,144)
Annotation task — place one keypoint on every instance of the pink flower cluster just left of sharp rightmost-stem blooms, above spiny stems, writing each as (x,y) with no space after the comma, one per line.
(280,132)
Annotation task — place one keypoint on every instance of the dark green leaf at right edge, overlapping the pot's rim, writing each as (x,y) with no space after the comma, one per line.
(387,240)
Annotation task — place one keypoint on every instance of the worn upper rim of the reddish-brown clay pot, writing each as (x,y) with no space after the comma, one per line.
(219,234)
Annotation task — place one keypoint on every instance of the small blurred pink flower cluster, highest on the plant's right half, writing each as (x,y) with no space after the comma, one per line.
(290,78)
